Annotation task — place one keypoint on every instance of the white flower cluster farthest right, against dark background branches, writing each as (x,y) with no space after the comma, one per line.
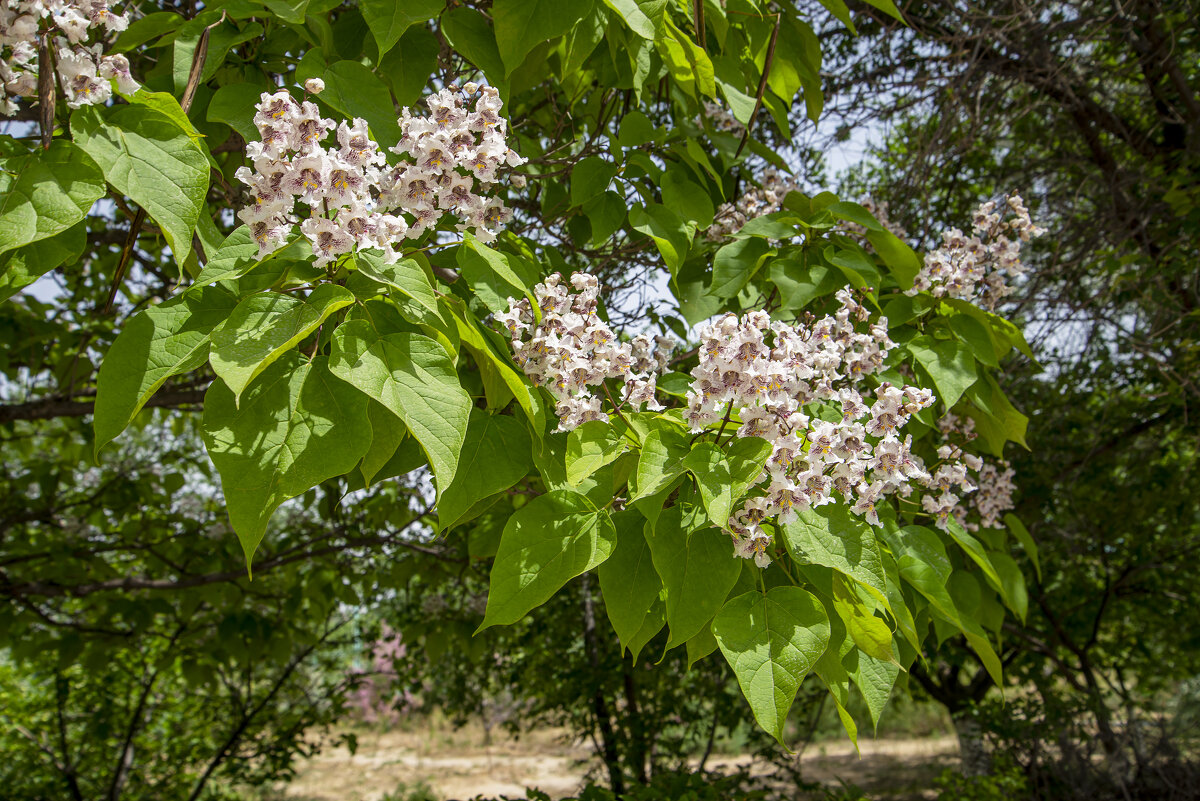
(982,264)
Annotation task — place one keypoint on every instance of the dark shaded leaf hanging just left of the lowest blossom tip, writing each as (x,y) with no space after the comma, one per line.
(698,569)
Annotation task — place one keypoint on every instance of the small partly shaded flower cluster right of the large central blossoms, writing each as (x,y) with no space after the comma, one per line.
(993,485)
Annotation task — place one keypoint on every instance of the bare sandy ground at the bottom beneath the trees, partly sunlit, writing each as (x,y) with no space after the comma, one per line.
(457,766)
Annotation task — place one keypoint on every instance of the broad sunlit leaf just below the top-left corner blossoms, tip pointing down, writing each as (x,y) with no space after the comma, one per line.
(149,158)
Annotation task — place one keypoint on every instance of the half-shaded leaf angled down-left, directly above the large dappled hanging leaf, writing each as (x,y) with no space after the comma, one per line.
(265,327)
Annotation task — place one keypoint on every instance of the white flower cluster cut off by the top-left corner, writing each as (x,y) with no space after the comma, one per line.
(86,74)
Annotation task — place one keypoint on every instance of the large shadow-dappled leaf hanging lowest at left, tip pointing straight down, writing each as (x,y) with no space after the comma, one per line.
(296,427)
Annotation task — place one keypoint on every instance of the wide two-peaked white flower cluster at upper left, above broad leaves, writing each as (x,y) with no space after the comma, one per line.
(353,196)
